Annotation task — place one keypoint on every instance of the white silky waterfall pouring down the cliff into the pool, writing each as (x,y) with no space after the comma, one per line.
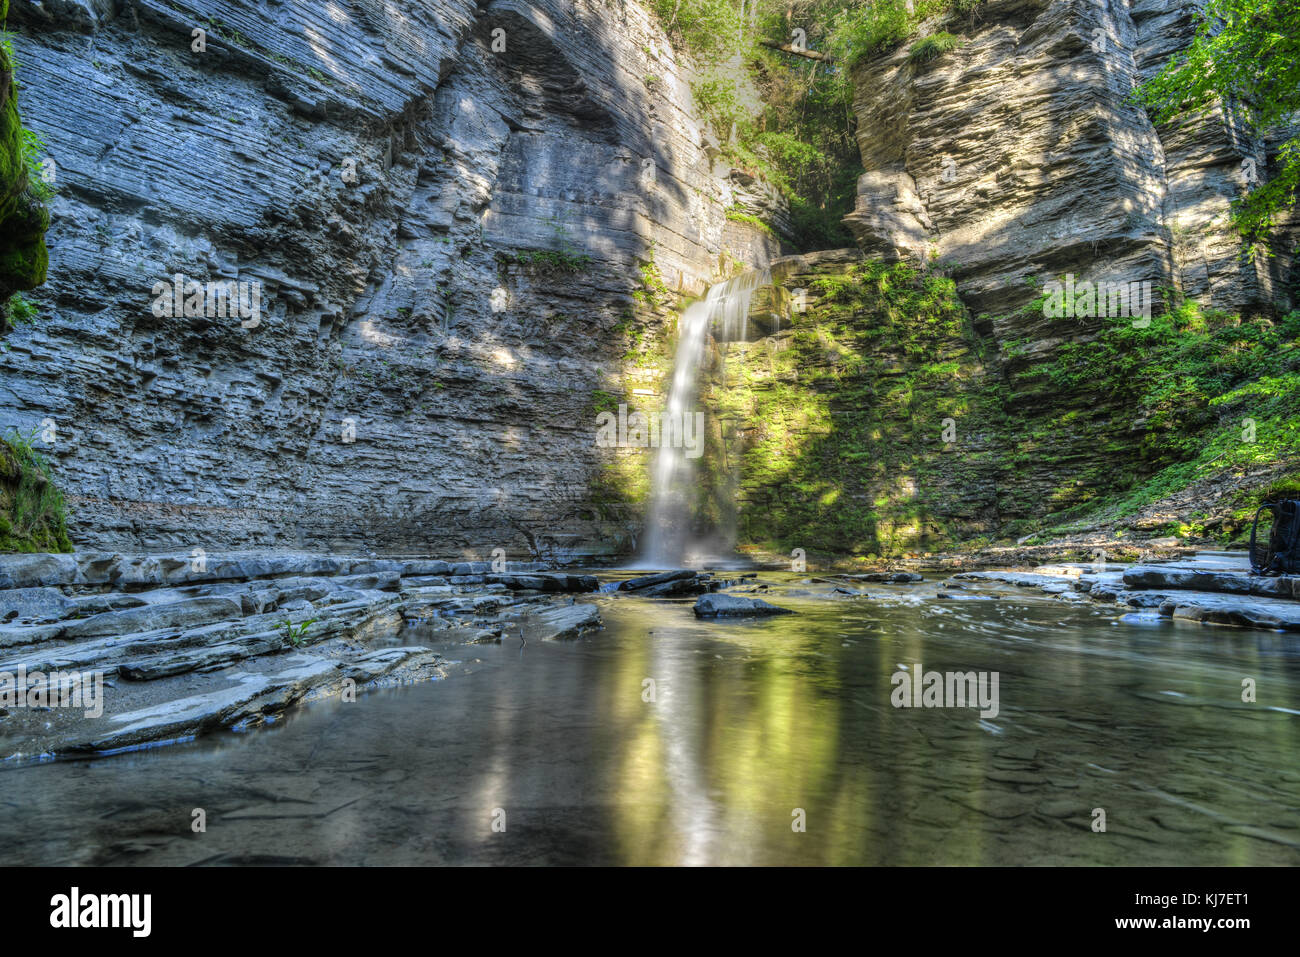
(673,488)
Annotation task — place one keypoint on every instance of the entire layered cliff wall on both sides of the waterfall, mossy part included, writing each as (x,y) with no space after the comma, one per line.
(456,233)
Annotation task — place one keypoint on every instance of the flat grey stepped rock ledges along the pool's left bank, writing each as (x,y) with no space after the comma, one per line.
(167,648)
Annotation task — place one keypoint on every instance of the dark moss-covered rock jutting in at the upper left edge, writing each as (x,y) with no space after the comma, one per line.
(24,219)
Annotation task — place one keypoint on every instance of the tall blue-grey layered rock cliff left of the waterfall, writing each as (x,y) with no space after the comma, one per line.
(380,171)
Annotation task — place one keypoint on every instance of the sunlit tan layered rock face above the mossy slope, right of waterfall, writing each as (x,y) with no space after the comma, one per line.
(1020,155)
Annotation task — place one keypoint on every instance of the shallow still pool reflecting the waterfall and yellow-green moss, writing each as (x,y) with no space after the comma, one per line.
(664,741)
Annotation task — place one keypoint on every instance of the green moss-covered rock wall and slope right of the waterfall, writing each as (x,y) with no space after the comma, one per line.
(879,423)
